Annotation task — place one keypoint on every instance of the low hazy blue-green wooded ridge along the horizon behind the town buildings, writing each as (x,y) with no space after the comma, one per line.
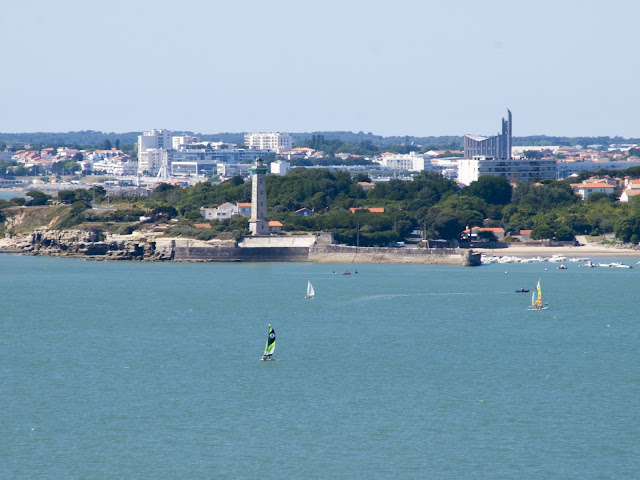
(90,138)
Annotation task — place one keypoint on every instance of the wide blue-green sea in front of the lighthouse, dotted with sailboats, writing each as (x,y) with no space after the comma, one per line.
(152,371)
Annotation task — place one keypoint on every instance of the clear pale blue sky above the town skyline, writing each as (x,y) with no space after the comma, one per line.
(402,67)
